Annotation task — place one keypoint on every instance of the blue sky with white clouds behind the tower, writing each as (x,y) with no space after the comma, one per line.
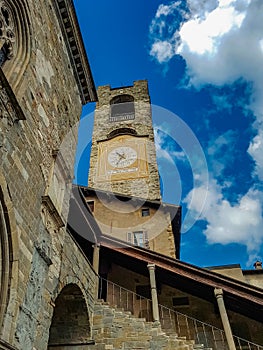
(203,63)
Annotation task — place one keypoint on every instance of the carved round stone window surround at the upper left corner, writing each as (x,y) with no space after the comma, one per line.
(14,39)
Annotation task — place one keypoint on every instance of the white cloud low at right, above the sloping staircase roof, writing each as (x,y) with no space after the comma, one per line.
(239,223)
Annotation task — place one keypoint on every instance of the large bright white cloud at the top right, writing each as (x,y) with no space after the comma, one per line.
(220,43)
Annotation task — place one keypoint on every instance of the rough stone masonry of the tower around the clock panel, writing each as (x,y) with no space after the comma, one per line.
(142,123)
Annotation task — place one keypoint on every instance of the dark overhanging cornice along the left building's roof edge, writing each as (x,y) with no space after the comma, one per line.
(76,50)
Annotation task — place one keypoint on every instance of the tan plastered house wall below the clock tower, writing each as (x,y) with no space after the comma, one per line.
(117,218)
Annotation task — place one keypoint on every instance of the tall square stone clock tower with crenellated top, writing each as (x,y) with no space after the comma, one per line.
(123,157)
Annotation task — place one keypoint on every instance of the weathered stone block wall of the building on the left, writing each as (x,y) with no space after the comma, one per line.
(42,255)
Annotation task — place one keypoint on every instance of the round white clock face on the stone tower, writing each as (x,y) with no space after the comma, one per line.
(122,157)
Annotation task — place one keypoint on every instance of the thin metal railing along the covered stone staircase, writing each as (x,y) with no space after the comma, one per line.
(172,322)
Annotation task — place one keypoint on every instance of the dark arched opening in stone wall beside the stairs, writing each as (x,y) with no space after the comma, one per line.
(70,327)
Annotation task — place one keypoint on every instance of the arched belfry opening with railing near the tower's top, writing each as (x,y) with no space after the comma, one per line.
(122,108)
